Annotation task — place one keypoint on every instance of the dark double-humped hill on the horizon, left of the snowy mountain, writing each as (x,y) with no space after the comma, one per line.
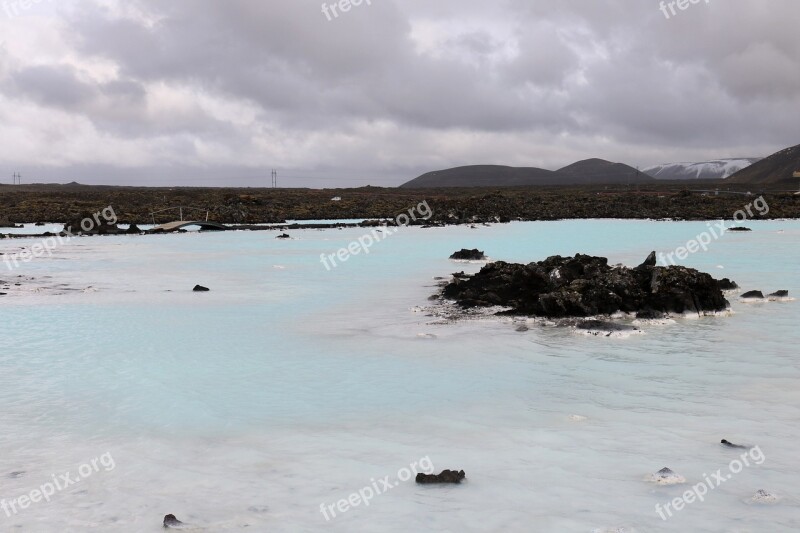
(591,171)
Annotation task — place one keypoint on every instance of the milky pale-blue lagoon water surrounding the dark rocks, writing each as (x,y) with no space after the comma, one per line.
(288,386)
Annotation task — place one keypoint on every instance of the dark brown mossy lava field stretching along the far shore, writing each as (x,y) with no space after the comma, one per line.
(139,205)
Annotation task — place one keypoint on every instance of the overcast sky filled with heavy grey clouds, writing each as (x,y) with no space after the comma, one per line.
(220,92)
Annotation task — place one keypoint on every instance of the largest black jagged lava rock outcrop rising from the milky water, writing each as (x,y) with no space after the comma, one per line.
(586,286)
